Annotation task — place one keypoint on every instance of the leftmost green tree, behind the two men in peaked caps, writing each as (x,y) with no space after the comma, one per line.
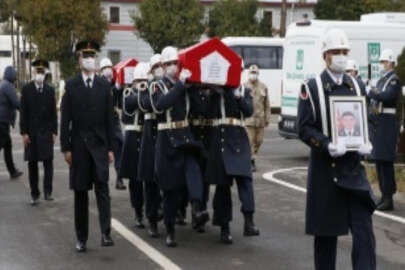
(55,27)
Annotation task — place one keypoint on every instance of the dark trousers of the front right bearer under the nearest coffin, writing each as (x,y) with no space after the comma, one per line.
(222,202)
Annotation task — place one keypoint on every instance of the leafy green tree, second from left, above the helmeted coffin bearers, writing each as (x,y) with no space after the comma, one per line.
(169,22)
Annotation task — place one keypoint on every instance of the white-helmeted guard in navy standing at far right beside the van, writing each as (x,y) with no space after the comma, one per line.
(385,132)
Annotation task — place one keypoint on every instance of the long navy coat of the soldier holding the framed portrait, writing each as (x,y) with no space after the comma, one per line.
(330,180)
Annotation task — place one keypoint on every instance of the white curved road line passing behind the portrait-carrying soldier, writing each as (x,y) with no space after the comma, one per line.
(269,176)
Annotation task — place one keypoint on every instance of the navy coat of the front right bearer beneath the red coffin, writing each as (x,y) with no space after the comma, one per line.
(229,149)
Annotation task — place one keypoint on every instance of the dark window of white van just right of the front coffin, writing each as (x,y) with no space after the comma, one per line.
(265,57)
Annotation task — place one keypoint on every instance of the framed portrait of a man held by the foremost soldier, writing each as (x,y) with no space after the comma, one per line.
(349,121)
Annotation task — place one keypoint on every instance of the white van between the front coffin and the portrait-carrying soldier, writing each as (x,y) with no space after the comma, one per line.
(267,54)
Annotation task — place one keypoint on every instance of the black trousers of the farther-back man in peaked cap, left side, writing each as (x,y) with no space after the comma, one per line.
(33,174)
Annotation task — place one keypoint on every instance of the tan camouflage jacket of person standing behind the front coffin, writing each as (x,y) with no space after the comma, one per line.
(261,105)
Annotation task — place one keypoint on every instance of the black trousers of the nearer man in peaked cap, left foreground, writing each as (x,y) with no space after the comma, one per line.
(101,190)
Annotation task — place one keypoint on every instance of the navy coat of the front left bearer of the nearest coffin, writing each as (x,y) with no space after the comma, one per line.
(173,144)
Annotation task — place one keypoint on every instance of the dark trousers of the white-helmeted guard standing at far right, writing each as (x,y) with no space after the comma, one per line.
(386,178)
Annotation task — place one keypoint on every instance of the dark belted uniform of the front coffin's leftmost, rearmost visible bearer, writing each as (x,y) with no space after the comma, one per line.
(133,120)
